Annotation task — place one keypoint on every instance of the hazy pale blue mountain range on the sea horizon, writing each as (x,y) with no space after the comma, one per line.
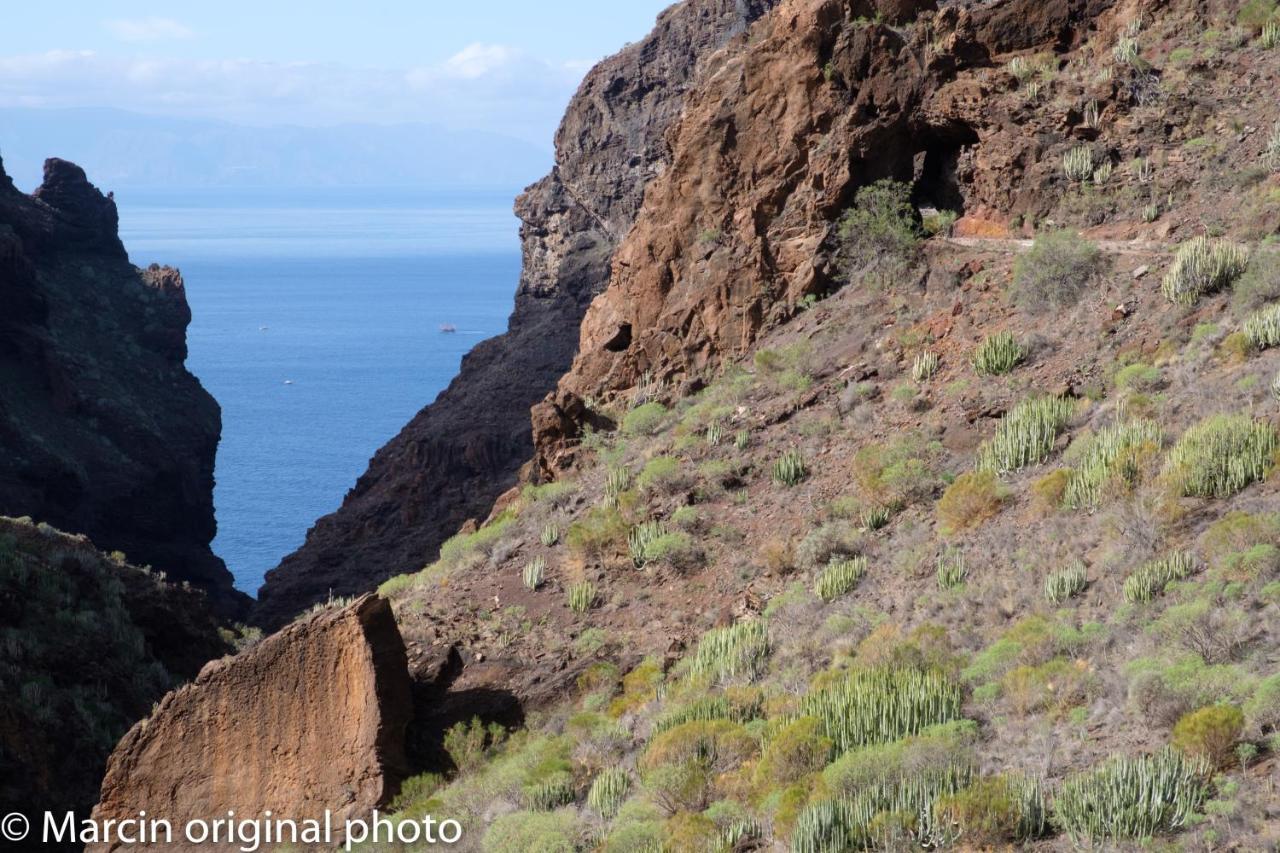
(129,150)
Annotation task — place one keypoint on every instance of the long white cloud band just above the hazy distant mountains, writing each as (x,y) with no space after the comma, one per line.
(484,88)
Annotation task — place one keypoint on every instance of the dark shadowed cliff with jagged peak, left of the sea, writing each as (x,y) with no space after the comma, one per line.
(103,431)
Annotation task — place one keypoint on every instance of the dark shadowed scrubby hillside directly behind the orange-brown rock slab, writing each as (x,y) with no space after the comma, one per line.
(90,645)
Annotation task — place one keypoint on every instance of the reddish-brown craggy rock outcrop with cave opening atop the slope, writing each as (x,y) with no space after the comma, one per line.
(771,148)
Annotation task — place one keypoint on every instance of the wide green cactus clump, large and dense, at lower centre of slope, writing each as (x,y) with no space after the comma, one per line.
(883,705)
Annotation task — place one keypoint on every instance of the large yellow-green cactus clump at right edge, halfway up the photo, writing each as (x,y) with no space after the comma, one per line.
(1220,457)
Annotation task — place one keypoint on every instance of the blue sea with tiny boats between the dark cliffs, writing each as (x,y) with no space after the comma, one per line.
(318,329)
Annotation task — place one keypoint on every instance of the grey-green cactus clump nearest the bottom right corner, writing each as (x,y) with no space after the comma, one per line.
(1131,799)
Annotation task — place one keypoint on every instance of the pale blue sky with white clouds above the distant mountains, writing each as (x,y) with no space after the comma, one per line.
(501,66)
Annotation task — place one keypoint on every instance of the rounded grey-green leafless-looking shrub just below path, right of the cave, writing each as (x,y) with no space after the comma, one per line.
(1057,272)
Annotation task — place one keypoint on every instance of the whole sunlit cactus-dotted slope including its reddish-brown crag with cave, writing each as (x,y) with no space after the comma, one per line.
(806,571)
